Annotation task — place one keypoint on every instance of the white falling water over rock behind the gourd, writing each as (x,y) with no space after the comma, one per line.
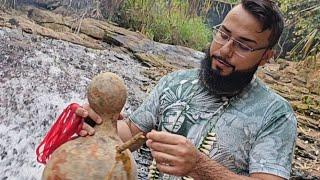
(39,77)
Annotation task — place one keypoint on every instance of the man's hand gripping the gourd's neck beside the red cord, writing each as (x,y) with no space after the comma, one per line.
(86,111)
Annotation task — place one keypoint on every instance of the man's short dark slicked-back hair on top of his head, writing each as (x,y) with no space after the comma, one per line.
(269,15)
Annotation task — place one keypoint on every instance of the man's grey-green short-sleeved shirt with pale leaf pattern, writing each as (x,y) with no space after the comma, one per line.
(255,130)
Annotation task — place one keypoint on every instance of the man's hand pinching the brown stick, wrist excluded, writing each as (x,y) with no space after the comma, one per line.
(174,154)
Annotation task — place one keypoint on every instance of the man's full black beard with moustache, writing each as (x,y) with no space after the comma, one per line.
(217,84)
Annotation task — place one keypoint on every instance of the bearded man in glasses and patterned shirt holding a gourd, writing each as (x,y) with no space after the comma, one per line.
(219,121)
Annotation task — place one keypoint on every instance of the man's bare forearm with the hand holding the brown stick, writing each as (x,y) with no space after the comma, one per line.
(176,155)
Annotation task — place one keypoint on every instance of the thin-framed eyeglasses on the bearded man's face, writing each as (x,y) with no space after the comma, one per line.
(240,48)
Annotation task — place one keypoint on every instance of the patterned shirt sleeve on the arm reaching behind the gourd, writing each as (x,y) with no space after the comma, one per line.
(146,116)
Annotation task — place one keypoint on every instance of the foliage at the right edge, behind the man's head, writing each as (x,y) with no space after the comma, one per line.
(303,17)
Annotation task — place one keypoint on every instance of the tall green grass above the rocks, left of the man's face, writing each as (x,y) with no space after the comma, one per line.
(169,22)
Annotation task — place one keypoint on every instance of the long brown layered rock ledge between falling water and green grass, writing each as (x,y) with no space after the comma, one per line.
(92,32)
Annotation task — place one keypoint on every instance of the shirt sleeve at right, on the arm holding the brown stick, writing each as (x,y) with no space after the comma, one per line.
(272,152)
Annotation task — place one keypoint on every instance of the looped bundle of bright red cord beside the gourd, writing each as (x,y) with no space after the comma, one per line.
(66,127)
